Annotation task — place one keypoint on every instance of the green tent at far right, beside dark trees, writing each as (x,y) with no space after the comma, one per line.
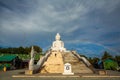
(110,64)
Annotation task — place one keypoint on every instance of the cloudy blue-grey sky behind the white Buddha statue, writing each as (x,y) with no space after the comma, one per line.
(36,22)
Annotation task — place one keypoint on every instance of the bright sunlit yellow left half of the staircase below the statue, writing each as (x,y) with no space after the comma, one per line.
(53,64)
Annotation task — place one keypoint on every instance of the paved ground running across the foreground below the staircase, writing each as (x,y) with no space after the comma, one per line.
(19,75)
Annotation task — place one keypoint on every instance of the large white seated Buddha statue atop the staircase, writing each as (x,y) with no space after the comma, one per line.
(58,45)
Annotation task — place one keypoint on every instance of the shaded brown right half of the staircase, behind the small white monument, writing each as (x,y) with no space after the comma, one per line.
(78,66)
